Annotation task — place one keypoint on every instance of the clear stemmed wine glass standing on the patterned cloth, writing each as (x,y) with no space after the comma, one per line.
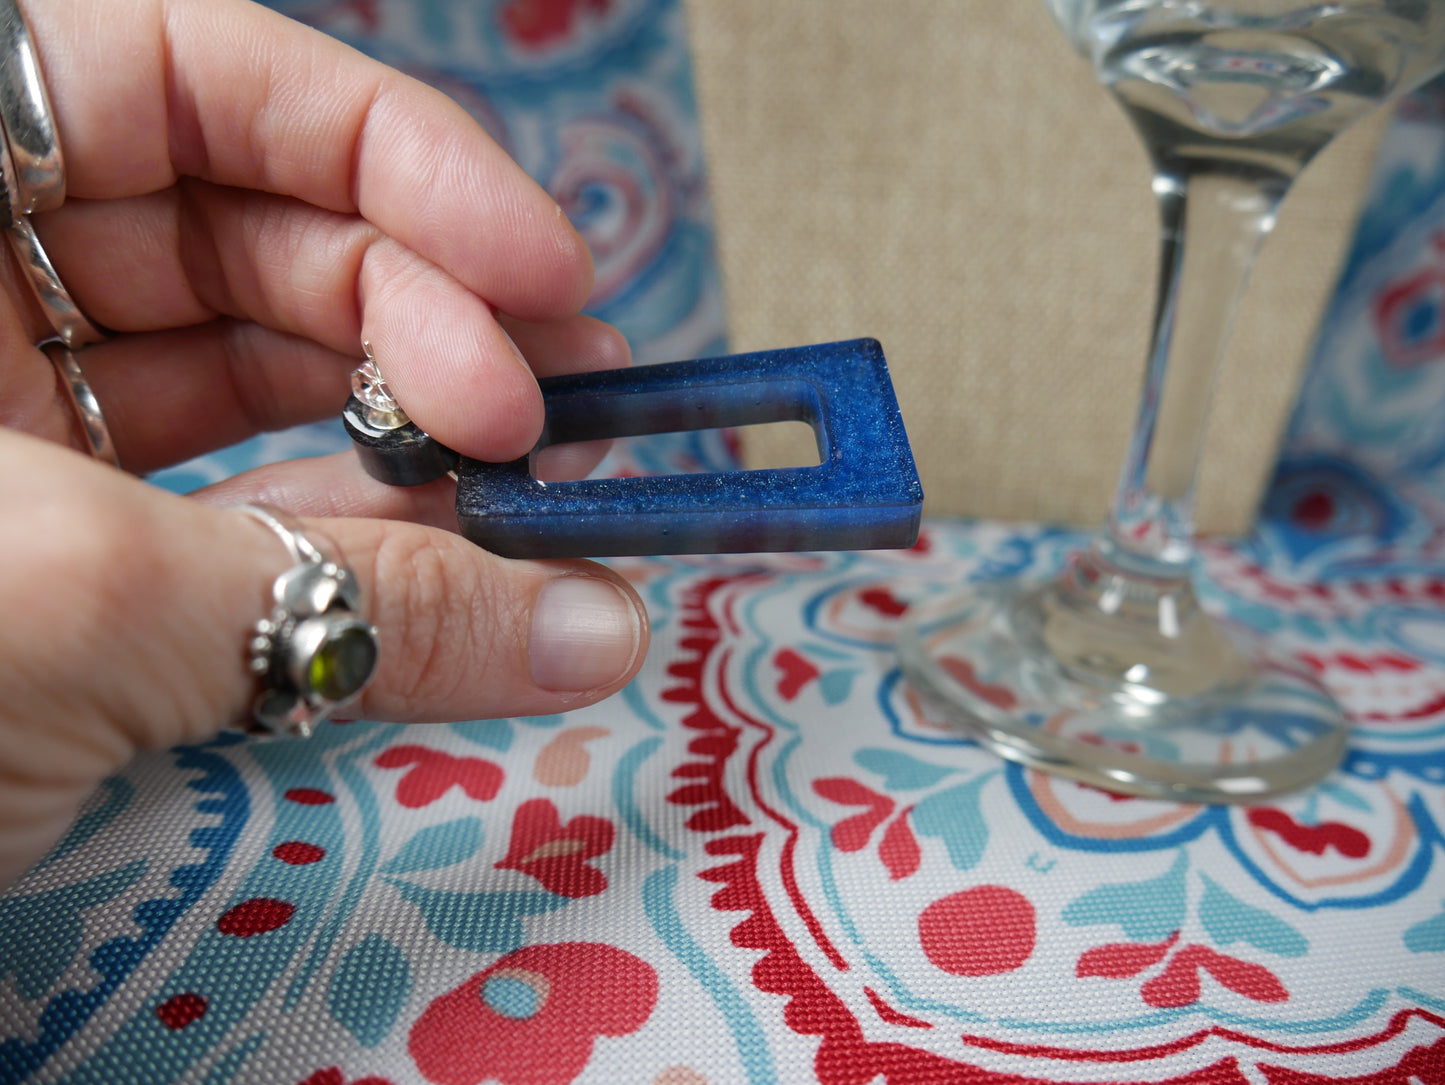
(1112,674)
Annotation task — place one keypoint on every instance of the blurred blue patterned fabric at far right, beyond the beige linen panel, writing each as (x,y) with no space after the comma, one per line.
(1366,449)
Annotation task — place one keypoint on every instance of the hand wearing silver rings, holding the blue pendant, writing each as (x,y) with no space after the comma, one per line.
(248,200)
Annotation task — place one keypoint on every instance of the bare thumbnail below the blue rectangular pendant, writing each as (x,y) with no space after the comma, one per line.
(585,635)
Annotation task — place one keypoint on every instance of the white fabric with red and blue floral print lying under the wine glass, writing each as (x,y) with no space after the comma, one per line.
(764,862)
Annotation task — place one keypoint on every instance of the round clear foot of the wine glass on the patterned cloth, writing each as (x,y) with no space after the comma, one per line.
(1243,730)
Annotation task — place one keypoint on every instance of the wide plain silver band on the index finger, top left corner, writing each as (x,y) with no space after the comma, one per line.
(30,125)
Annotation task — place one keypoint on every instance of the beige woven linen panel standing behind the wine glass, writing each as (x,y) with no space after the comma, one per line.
(947,177)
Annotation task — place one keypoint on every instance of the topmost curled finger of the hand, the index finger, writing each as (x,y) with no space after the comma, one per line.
(236,95)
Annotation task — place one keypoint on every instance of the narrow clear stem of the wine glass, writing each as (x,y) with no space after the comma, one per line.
(1213,220)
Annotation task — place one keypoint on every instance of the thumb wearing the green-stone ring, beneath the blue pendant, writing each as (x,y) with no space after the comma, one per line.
(134,610)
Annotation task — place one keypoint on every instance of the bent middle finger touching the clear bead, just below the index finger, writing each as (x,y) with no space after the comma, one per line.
(186,255)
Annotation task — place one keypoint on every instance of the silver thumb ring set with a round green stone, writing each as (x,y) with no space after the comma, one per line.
(314,652)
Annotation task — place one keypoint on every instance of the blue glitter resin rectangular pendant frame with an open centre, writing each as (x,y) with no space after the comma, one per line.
(863,495)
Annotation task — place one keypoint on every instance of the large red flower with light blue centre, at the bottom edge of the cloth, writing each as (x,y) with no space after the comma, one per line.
(534,1016)
